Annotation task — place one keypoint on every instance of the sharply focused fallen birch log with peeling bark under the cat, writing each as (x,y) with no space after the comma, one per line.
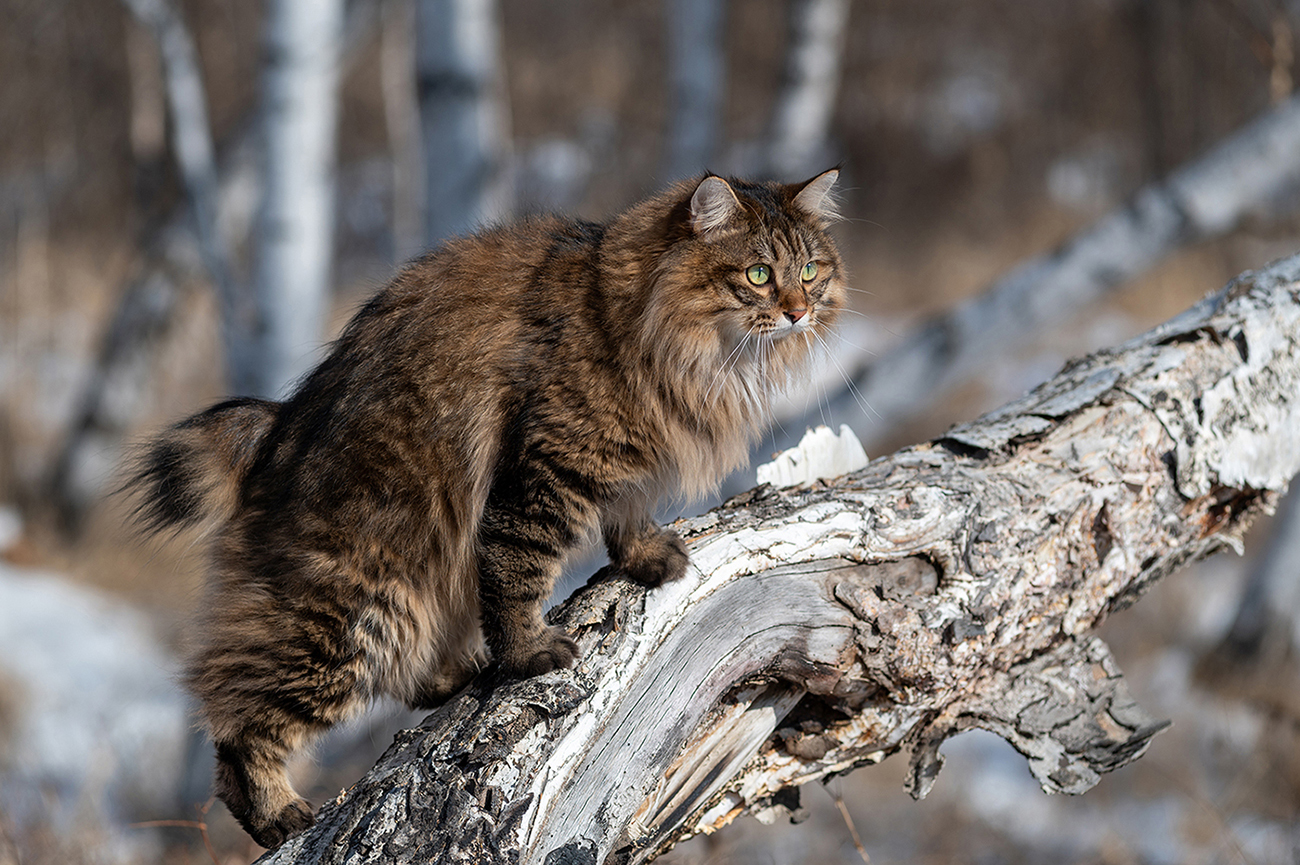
(831,626)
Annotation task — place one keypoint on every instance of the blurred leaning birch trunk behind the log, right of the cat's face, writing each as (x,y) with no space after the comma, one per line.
(1210,197)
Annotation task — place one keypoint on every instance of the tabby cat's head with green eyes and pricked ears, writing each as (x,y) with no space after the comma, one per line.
(753,263)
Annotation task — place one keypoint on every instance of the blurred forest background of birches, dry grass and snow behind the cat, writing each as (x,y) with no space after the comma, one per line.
(167,241)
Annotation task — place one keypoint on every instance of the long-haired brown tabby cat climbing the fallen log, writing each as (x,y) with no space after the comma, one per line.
(501,400)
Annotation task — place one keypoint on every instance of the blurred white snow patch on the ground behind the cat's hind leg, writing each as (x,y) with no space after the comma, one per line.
(101,725)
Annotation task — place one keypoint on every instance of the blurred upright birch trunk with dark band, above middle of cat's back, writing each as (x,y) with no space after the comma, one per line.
(465,116)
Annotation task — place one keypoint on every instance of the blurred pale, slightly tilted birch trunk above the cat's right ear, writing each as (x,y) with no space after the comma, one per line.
(801,122)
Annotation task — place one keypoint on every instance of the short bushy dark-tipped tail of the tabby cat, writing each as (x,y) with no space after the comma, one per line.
(192,473)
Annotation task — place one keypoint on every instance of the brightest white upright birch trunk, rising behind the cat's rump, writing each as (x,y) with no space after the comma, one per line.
(294,248)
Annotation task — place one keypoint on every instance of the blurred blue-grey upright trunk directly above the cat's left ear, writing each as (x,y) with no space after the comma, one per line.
(697,75)
